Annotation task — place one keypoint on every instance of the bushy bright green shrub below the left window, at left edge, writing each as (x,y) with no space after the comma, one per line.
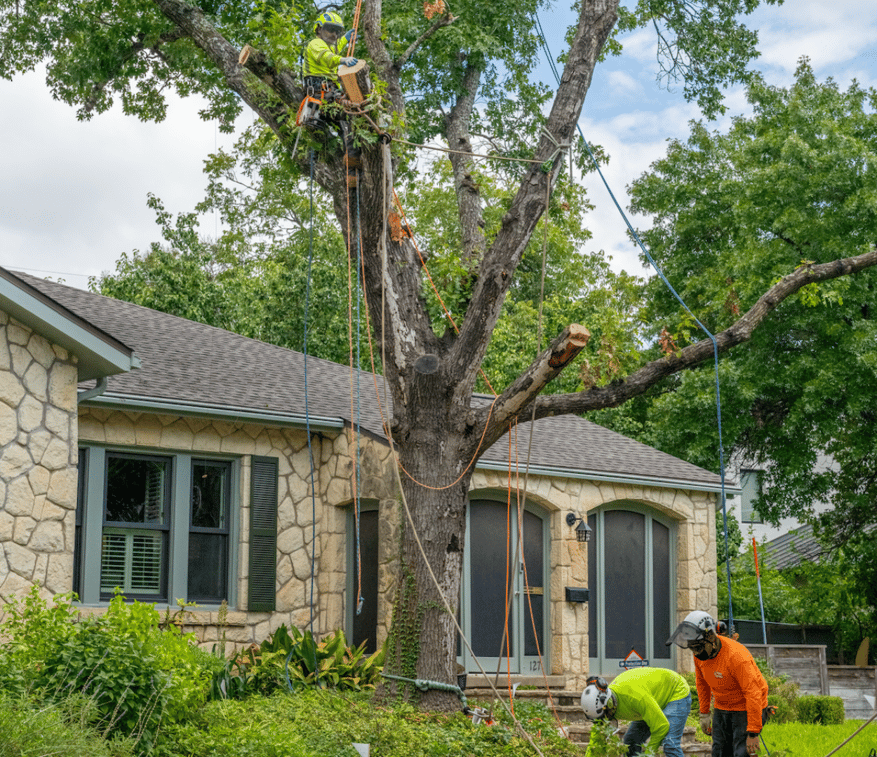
(133,672)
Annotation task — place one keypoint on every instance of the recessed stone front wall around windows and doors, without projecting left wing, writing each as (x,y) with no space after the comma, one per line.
(691,510)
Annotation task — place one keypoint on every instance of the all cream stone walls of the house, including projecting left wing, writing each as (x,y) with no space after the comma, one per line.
(38,459)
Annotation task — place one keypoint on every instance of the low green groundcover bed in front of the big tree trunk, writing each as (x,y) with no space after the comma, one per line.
(326,723)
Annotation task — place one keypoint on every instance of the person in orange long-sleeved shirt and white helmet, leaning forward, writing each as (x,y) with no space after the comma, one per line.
(726,671)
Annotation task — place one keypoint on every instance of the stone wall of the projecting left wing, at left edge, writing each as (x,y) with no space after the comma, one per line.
(38,461)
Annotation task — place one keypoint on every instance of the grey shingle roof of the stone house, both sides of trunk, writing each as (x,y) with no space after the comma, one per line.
(185,361)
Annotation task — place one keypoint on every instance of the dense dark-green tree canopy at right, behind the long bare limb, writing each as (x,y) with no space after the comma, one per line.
(794,182)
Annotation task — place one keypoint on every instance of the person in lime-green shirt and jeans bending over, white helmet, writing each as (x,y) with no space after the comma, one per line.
(655,700)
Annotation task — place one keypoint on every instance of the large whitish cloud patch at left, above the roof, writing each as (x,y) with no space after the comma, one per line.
(74,193)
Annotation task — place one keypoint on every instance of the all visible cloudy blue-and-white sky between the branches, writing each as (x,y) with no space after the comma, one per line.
(73,195)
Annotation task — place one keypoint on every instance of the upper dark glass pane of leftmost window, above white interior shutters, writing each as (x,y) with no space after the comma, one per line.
(136,490)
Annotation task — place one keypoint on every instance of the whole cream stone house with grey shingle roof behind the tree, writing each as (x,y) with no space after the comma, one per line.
(184,472)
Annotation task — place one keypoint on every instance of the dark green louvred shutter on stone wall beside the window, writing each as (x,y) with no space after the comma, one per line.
(263,534)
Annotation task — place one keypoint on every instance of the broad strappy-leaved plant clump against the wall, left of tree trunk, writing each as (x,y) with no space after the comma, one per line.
(296,661)
